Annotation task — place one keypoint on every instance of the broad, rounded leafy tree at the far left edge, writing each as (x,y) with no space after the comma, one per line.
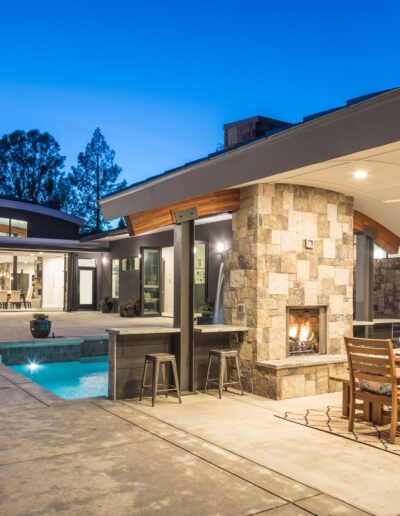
(31,168)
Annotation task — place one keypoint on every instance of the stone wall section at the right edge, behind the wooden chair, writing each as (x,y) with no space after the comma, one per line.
(387,288)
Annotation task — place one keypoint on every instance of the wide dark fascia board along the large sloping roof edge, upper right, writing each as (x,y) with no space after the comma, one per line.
(360,126)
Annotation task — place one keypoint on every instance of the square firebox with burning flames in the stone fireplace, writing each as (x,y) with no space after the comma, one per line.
(306,330)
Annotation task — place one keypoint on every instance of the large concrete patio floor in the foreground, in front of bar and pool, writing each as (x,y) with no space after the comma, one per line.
(206,456)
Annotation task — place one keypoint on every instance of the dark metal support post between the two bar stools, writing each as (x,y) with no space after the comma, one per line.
(186,362)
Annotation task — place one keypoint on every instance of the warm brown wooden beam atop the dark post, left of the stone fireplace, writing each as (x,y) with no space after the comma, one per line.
(210,204)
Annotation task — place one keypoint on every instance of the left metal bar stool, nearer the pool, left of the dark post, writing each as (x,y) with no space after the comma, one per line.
(160,360)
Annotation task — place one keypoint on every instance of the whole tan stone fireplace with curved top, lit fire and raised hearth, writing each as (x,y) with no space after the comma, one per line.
(292,258)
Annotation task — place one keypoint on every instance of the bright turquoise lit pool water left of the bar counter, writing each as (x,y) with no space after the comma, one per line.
(70,380)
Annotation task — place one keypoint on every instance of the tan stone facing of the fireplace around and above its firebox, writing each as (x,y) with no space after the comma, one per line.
(269,267)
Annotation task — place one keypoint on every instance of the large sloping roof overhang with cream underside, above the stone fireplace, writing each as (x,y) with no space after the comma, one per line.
(323,152)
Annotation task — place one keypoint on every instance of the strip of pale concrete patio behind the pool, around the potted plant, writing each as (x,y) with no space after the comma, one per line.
(15,325)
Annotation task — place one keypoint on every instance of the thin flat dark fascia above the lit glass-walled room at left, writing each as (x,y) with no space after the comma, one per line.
(10,243)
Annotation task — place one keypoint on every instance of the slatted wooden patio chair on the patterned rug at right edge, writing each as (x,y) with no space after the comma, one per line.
(372,377)
